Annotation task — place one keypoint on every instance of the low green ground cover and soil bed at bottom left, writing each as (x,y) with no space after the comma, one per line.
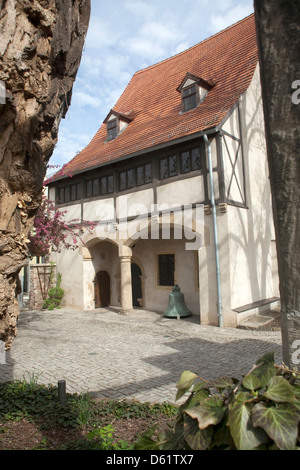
(31,417)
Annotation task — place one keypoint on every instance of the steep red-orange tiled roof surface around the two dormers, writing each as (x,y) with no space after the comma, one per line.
(151,99)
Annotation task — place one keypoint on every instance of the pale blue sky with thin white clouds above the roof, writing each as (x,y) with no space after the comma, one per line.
(125,36)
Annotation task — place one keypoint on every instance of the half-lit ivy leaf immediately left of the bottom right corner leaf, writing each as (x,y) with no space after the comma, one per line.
(244,435)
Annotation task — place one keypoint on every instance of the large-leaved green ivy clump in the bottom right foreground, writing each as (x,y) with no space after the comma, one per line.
(261,411)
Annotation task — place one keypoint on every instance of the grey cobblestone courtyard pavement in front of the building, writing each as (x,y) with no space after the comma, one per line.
(140,356)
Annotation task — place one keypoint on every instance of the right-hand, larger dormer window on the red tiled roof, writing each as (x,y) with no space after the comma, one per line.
(193,91)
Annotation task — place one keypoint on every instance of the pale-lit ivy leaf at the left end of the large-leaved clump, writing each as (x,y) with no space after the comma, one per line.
(209,412)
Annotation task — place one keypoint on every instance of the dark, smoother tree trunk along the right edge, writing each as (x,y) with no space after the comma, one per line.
(278,31)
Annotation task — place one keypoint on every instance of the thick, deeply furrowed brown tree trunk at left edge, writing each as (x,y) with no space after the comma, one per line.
(41,43)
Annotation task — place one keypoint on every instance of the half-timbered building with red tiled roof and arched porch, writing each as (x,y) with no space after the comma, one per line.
(177,180)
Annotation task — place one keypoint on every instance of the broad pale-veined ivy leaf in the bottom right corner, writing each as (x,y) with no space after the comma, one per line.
(280,423)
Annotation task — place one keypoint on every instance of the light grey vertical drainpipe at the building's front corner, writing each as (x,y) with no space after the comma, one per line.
(216,240)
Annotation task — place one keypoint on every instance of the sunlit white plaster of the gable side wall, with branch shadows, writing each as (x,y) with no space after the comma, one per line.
(251,230)
